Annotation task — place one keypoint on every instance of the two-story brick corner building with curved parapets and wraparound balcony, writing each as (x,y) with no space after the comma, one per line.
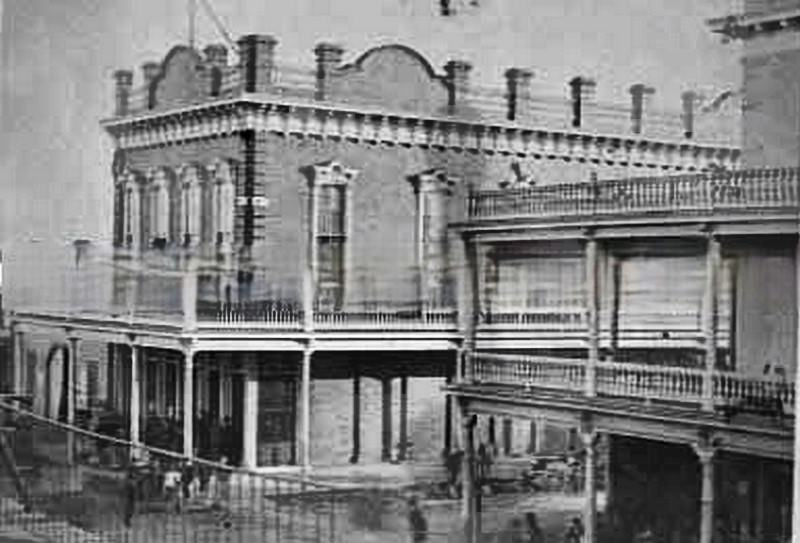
(282,261)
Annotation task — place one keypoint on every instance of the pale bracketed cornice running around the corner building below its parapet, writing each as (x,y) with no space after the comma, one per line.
(372,127)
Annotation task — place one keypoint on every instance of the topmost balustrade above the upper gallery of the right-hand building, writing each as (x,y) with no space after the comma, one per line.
(734,191)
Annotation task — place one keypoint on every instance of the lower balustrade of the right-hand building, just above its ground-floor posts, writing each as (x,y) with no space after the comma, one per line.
(730,391)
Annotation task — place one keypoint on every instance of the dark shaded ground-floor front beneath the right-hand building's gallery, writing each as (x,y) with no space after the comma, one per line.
(656,487)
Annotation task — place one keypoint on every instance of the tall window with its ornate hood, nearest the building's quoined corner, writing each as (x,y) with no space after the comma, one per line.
(329,230)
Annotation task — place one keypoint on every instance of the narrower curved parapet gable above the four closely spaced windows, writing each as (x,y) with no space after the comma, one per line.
(180,81)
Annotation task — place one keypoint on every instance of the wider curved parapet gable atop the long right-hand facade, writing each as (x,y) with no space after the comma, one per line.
(392,77)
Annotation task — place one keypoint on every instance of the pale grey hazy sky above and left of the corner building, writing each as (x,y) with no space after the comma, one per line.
(58,57)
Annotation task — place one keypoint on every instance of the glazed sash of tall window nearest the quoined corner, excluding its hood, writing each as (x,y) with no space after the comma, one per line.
(331,239)
